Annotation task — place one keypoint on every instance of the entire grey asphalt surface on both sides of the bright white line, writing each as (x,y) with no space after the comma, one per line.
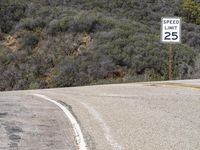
(138,116)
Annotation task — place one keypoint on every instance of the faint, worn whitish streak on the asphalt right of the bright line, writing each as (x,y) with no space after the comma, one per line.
(104,126)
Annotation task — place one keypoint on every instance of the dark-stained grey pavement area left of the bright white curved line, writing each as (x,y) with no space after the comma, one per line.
(29,123)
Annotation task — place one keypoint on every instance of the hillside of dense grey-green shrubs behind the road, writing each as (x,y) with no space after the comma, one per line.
(59,43)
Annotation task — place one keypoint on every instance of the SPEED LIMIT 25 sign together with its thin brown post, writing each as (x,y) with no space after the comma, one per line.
(170,33)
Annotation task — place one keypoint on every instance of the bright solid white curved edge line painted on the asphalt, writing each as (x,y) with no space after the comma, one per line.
(77,129)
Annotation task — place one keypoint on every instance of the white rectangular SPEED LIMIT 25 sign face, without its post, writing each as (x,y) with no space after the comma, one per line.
(171,30)
